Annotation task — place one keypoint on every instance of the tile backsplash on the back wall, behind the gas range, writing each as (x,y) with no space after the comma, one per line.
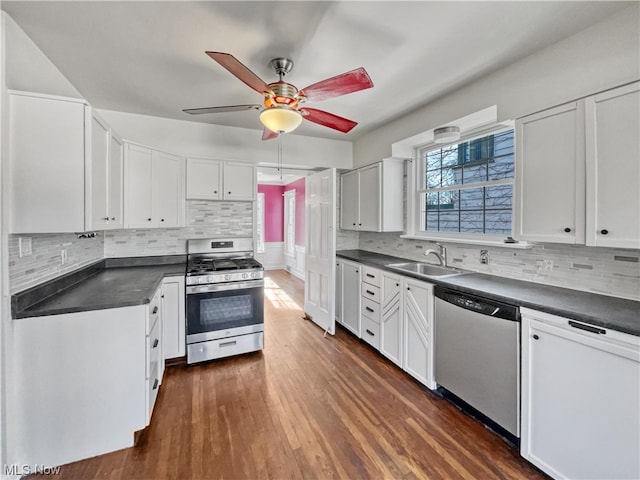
(204,219)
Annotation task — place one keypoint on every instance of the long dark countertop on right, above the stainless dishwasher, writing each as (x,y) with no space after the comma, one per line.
(609,312)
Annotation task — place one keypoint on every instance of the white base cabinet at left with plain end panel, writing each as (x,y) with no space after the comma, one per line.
(84,382)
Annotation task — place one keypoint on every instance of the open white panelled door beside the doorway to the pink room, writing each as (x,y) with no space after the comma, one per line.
(320,249)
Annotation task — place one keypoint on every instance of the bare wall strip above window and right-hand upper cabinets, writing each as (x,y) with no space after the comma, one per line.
(602,56)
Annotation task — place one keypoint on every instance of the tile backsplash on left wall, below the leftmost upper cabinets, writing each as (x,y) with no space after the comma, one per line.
(45,261)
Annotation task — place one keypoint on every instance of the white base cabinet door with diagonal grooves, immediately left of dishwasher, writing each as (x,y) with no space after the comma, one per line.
(418,331)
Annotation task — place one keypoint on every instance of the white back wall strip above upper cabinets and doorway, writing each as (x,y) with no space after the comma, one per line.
(229,143)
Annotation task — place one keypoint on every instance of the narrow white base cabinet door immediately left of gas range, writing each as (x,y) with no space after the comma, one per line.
(173,317)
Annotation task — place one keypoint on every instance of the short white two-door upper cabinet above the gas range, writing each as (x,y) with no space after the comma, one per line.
(218,180)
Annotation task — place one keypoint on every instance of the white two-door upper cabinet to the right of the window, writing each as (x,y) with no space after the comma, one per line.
(578,171)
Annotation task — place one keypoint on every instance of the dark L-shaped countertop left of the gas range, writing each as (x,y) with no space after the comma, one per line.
(112,283)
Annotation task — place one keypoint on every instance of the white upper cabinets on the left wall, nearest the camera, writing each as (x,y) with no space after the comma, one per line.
(60,156)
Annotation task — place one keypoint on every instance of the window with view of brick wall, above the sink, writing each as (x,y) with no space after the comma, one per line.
(467,188)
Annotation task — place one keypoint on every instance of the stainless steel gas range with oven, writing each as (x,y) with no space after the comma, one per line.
(224,299)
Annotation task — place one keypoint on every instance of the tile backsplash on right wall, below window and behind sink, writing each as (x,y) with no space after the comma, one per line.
(608,271)
